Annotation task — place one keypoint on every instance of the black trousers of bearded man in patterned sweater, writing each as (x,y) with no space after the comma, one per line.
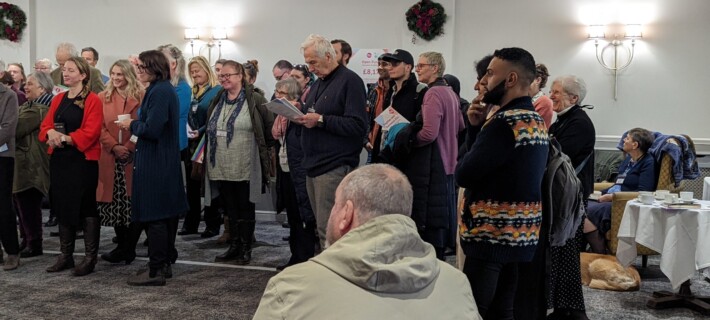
(493,285)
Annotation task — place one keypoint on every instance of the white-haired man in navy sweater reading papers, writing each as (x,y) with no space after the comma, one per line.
(334,126)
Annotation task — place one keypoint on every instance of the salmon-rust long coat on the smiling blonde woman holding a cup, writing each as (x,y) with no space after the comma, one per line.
(109,138)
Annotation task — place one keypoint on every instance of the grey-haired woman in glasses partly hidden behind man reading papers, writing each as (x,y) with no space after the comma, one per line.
(291,179)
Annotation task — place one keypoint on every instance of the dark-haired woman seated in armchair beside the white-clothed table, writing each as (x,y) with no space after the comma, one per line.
(636,173)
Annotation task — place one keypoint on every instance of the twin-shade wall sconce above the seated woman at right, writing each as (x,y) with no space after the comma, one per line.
(632,32)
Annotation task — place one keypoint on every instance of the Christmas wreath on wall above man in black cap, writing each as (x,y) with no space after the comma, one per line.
(426,19)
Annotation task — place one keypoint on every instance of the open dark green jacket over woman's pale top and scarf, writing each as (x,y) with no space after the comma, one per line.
(261,121)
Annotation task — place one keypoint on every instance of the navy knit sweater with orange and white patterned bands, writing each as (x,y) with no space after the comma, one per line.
(502,172)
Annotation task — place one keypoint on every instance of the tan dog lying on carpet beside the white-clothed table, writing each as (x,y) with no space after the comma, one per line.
(604,272)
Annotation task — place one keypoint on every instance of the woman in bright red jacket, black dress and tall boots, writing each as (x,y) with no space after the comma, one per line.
(72,129)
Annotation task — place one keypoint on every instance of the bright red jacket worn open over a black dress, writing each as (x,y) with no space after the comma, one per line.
(86,138)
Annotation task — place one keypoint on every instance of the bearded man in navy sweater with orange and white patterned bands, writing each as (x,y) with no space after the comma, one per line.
(502,172)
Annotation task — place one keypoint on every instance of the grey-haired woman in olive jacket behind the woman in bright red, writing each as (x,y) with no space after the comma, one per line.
(32,162)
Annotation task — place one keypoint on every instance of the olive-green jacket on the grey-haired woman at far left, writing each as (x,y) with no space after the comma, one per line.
(31,158)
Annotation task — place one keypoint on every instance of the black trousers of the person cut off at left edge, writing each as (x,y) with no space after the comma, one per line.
(8,220)
